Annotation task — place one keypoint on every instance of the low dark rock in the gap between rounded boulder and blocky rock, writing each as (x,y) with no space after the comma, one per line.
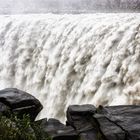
(58,131)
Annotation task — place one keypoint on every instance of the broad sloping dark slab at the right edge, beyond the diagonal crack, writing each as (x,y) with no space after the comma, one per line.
(125,117)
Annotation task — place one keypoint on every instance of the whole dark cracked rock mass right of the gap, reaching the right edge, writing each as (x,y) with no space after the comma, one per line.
(109,123)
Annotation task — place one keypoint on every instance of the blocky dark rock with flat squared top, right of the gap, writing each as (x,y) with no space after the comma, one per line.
(81,118)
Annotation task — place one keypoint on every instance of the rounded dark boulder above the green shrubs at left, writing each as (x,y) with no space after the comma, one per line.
(20,102)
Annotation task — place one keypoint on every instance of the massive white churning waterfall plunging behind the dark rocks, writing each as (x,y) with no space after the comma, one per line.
(72,59)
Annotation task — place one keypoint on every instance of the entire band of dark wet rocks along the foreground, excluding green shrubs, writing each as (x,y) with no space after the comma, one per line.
(84,122)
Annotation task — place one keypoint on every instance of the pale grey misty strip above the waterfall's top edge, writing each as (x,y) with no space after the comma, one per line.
(67,6)
